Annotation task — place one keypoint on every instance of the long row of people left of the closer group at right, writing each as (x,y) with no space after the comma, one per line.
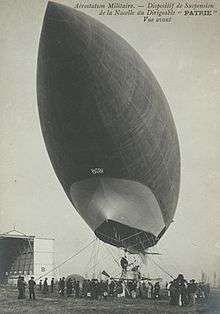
(93,289)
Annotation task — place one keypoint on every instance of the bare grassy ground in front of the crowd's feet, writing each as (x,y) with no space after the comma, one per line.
(56,304)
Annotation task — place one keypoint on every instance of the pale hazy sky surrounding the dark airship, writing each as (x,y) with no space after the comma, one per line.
(184,57)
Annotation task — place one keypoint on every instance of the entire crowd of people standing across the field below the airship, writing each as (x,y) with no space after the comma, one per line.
(179,291)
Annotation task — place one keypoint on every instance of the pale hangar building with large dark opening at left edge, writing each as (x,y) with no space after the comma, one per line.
(25,255)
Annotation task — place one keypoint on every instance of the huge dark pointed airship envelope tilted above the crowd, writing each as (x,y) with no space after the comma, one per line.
(108,130)
